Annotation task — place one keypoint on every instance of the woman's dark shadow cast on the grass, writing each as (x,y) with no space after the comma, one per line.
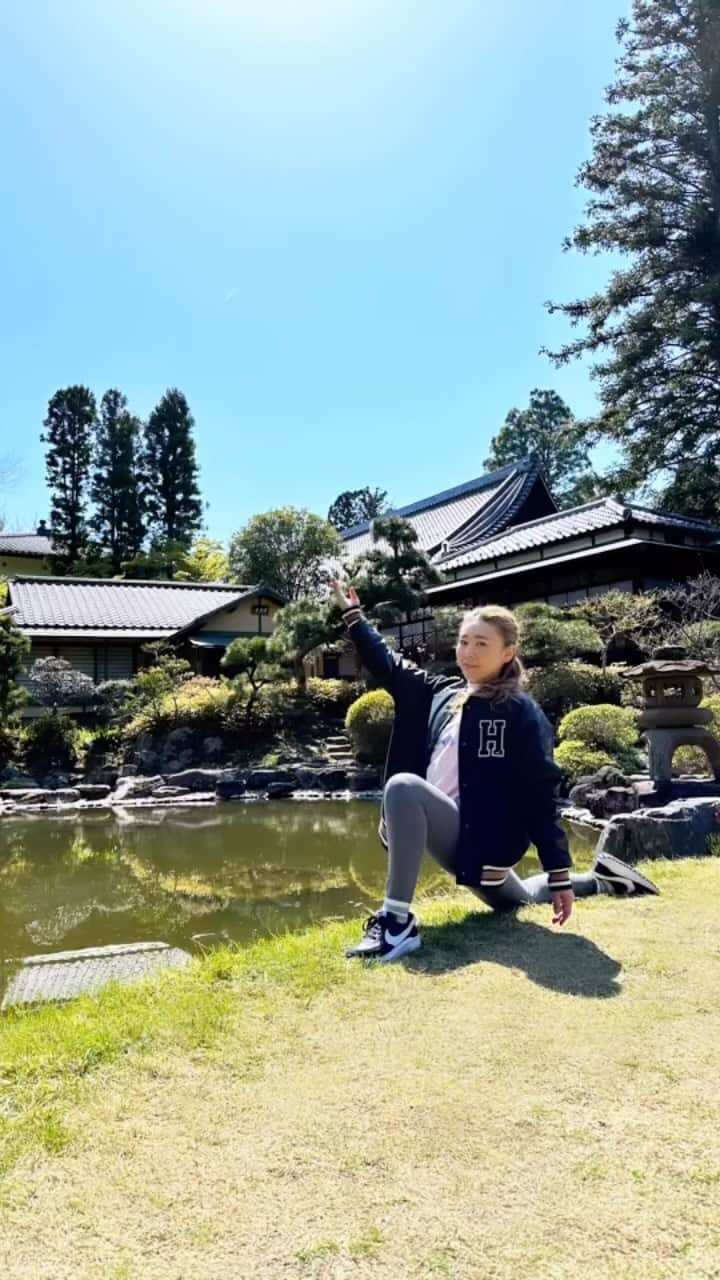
(562,962)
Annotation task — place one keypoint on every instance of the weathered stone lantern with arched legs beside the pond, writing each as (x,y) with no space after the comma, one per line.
(672,715)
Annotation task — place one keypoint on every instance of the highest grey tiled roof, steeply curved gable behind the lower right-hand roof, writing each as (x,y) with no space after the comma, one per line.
(444,515)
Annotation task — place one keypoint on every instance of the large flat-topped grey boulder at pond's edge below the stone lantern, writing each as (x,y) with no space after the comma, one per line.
(678,830)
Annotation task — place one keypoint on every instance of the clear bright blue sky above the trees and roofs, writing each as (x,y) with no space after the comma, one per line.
(332,223)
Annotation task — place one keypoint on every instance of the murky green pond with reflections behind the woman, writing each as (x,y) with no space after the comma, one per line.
(240,871)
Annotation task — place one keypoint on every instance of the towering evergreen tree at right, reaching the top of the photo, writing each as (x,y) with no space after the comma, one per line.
(654,180)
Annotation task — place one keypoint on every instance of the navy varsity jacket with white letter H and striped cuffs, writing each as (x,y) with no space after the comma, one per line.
(505,769)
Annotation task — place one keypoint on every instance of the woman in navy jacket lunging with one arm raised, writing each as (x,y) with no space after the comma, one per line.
(471,778)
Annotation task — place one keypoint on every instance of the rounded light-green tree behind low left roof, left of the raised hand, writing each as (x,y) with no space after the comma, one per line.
(286,548)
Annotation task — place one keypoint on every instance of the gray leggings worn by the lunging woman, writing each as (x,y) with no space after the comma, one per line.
(421,817)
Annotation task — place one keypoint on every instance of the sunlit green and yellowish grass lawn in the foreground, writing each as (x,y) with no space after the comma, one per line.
(513,1101)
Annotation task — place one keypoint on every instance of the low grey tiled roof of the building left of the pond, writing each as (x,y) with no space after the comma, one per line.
(101,605)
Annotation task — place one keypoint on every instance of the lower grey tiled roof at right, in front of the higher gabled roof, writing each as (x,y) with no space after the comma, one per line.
(601,514)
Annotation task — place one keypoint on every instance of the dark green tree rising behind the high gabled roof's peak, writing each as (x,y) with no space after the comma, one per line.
(549,431)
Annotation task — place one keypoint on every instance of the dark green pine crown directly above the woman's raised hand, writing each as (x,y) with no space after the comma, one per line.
(393,578)
